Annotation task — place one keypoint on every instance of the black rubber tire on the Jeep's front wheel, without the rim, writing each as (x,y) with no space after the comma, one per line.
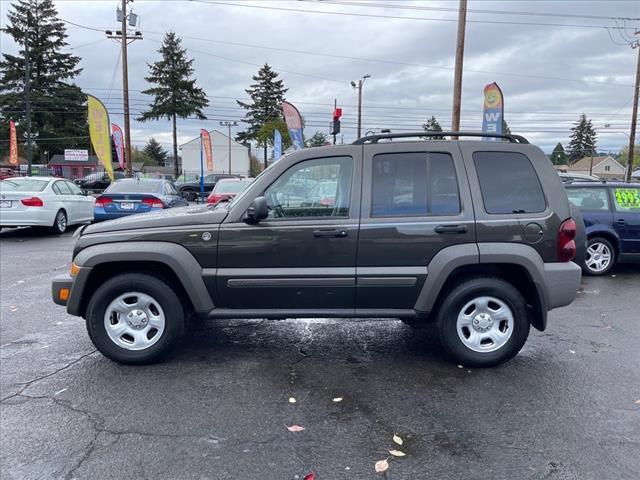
(162,293)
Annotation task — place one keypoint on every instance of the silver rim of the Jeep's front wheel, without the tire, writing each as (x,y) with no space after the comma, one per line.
(134,321)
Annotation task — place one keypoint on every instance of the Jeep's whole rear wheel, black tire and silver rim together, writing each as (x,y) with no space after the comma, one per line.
(483,322)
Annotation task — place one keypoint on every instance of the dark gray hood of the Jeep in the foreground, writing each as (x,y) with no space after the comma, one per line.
(172,217)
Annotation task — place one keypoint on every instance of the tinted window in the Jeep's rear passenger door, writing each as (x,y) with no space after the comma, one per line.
(414,184)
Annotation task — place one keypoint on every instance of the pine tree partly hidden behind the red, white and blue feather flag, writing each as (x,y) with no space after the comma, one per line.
(267,94)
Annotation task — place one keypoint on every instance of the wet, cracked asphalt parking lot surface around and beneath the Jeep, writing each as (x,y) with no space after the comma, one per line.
(568,407)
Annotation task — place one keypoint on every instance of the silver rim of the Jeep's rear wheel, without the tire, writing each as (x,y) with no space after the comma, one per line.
(485,324)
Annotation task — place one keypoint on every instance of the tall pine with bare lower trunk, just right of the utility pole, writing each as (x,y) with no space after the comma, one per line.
(175,93)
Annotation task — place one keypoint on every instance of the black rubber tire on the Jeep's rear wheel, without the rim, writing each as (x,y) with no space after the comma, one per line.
(465,293)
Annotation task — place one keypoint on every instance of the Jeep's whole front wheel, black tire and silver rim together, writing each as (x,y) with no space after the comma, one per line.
(135,319)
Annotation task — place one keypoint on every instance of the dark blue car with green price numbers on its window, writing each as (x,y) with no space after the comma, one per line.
(611,214)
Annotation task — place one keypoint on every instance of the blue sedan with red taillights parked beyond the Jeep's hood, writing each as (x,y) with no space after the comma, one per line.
(129,196)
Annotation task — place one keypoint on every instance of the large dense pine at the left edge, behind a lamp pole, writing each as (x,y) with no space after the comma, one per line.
(57,106)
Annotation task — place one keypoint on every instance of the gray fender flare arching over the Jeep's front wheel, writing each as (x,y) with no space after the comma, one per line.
(174,256)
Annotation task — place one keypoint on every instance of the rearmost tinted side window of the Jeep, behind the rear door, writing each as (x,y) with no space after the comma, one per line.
(509,183)
